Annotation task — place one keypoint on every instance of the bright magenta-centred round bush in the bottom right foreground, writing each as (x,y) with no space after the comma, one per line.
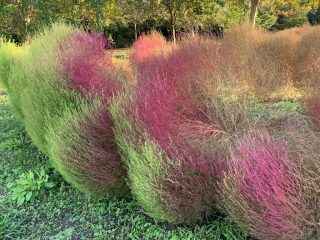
(261,190)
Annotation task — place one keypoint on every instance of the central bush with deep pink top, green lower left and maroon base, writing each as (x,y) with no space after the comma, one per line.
(169,176)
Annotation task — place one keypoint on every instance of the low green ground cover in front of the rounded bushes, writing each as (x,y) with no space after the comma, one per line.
(62,212)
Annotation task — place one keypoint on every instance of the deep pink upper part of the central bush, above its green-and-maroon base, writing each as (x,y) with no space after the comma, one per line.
(167,94)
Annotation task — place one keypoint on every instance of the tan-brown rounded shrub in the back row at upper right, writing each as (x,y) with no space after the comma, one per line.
(258,61)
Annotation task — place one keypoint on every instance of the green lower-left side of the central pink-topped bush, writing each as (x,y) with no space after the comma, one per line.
(151,172)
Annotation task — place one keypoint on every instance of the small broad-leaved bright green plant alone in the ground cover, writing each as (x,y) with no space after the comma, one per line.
(29,185)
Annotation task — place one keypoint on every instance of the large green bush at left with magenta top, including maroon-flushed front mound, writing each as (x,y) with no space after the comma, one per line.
(62,88)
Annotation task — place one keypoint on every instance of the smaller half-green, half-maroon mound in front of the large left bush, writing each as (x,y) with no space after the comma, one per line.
(83,150)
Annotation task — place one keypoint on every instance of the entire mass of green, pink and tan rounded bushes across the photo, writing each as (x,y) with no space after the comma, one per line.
(202,126)
